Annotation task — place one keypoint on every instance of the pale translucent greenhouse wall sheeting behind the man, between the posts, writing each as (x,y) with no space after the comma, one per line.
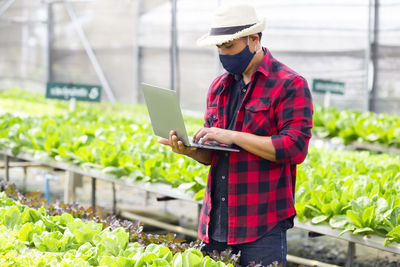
(319,40)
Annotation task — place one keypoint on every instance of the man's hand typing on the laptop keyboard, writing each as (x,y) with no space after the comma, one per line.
(219,135)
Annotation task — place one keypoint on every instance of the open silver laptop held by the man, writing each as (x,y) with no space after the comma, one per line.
(165,115)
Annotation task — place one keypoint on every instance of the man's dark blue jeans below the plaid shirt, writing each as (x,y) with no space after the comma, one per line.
(269,249)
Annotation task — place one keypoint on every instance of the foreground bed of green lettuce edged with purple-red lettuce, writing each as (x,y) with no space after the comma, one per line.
(38,234)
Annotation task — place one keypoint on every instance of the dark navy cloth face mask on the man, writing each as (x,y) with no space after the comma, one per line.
(237,64)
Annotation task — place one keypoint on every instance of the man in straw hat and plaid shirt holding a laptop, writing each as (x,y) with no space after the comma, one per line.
(264,108)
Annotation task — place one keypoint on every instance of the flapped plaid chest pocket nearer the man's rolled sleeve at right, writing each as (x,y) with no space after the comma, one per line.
(257,117)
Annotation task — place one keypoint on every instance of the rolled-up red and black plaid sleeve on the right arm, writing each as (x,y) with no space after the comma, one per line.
(293,113)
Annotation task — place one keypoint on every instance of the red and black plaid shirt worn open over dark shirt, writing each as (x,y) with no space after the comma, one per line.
(261,192)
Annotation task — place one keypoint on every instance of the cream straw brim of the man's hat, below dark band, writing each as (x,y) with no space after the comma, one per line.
(212,40)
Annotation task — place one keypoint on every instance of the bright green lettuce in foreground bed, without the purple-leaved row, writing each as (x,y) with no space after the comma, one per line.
(62,240)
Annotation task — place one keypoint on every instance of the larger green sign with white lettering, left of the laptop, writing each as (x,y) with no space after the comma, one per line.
(66,91)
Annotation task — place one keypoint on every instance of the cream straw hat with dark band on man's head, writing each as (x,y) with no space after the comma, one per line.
(230,23)
